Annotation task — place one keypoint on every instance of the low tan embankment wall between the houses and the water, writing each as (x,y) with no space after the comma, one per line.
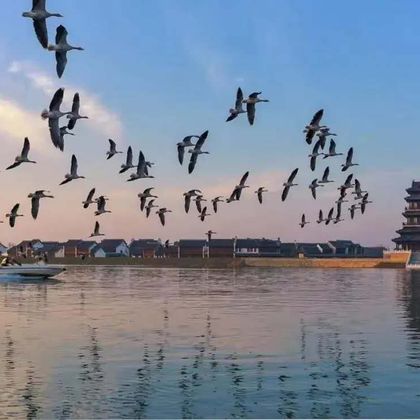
(220,263)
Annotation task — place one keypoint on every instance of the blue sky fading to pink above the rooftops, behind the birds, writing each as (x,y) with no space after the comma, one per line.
(154,72)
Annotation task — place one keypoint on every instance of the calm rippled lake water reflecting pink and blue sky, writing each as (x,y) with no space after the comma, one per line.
(129,342)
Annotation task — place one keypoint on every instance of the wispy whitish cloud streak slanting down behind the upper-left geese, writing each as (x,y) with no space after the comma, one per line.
(101,118)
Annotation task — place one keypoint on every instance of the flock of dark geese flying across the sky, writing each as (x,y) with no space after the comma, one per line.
(57,131)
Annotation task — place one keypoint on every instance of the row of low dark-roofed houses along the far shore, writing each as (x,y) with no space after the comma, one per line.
(151,248)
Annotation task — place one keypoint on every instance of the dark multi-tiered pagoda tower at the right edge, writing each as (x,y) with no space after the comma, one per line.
(409,238)
